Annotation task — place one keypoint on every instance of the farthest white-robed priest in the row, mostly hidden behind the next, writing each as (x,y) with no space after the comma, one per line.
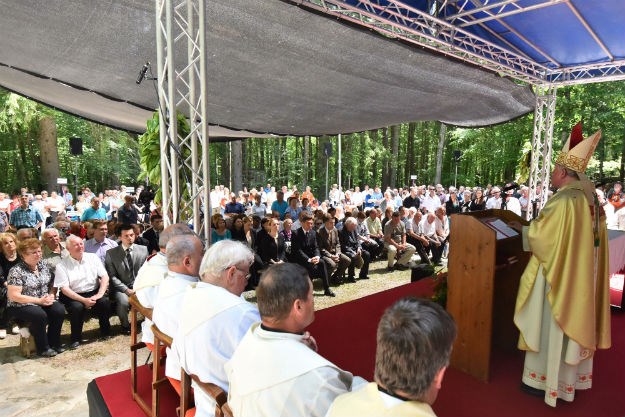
(152,273)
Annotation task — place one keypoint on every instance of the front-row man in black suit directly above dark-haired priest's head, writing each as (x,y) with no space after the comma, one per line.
(305,252)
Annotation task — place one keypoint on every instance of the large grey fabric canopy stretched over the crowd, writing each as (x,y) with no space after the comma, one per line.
(273,68)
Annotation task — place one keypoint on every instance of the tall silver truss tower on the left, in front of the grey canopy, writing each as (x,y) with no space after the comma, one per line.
(185,173)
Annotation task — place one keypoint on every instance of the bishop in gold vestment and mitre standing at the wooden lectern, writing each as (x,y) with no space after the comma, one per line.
(562,308)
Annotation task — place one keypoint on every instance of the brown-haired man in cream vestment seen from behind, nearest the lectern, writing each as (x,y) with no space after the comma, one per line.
(414,342)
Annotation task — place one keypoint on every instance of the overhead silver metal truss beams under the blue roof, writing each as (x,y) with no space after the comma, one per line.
(395,19)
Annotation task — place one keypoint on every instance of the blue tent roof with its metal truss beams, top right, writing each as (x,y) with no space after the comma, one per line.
(557,41)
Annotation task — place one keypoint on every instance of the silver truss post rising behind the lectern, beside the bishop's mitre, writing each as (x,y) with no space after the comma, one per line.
(542,145)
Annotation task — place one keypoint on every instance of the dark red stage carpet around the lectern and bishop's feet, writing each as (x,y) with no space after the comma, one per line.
(346,336)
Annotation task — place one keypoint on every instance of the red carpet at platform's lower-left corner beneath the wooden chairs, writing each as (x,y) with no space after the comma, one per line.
(117,394)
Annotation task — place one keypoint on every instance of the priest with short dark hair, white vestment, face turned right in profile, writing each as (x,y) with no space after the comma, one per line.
(275,371)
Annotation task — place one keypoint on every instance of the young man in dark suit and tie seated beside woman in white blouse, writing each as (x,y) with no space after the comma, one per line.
(122,265)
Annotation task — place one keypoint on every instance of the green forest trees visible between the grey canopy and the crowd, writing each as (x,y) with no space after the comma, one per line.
(35,150)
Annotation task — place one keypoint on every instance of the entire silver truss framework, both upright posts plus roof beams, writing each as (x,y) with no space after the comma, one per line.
(181,26)
